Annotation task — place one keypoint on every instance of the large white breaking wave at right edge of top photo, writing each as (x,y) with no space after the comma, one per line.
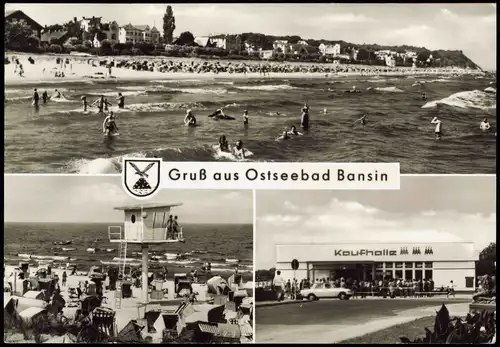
(468,99)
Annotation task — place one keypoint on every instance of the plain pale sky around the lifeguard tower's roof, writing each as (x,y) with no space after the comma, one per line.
(89,199)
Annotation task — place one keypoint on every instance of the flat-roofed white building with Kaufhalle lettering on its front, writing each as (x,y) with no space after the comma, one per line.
(442,262)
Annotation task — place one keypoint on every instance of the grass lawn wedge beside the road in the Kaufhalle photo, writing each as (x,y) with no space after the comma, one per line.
(391,335)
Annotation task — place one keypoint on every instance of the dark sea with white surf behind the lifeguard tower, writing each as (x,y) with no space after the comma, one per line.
(224,246)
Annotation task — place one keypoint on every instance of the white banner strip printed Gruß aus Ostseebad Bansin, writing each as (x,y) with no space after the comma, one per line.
(293,176)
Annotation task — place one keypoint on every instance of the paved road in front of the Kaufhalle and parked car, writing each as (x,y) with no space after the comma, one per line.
(319,321)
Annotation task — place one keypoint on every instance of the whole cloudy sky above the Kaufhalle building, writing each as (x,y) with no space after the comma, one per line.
(436,208)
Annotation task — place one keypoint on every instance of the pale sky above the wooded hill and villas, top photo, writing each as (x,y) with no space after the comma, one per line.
(467,27)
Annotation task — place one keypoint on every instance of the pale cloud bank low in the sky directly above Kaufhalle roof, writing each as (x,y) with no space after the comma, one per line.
(344,221)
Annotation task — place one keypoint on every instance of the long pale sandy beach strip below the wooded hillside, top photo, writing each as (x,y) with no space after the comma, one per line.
(42,71)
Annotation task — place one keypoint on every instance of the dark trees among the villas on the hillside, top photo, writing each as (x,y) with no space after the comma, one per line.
(18,37)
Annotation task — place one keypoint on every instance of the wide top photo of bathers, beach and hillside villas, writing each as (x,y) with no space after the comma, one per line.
(89,84)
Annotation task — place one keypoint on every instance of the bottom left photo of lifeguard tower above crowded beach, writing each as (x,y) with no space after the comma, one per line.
(86,263)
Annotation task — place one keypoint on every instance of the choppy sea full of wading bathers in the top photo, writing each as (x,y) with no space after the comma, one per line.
(60,138)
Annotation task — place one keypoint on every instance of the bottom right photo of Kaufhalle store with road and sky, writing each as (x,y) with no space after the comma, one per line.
(416,265)
